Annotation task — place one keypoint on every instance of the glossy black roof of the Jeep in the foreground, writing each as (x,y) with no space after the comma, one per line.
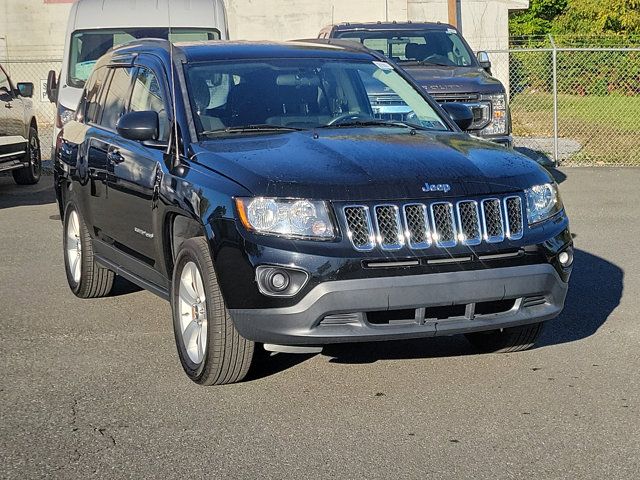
(237,50)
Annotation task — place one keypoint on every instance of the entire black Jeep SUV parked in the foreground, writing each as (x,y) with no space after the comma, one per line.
(268,204)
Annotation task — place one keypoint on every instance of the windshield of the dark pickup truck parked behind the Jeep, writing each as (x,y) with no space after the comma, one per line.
(437,47)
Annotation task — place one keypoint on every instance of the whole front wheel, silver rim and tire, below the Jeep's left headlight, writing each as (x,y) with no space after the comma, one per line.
(211,350)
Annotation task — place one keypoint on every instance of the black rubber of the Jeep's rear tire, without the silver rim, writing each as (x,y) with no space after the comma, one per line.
(95,280)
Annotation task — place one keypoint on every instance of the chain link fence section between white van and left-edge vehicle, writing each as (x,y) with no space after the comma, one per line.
(36,71)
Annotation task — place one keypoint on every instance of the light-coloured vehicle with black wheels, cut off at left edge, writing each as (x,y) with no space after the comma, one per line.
(19,143)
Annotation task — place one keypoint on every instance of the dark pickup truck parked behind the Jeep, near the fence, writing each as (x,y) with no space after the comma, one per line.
(440,60)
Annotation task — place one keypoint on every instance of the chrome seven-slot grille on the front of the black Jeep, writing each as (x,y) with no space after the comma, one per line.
(445,224)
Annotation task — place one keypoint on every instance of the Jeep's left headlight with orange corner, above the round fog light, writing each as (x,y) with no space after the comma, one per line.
(286,217)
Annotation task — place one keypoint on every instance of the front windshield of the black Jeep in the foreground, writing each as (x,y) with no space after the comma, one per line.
(290,94)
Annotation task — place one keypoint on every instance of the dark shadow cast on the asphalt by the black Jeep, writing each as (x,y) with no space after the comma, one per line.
(595,291)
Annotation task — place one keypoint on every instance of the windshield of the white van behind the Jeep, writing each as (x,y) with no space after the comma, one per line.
(87,46)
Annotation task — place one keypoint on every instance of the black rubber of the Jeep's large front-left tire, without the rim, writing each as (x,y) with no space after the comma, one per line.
(227,356)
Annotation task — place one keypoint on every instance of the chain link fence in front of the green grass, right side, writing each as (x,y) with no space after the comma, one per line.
(575,105)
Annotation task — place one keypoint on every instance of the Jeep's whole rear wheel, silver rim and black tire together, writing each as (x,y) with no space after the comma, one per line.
(86,278)
